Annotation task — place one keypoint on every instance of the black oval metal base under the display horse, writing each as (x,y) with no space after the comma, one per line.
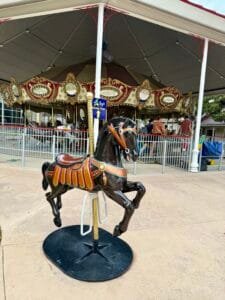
(85,259)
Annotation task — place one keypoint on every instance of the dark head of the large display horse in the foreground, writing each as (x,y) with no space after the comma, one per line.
(125,134)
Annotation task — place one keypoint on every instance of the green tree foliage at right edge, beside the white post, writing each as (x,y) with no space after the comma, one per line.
(214,106)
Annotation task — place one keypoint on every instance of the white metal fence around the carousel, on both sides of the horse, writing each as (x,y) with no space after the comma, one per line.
(33,144)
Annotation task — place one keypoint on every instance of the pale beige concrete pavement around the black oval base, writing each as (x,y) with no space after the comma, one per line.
(177,236)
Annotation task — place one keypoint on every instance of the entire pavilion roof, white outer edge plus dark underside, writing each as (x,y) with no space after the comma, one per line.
(31,45)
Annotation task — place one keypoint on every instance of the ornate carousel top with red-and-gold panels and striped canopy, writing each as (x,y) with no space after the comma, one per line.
(57,88)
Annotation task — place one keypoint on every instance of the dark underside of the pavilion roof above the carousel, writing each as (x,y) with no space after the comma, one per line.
(31,46)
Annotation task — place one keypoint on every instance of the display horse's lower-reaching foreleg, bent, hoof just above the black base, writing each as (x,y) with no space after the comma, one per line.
(123,201)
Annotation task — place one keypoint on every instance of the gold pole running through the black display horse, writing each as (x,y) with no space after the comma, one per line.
(91,152)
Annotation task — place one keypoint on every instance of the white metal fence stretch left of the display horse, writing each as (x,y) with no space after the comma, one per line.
(29,142)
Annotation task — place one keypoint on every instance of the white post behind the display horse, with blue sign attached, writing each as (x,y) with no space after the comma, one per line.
(98,67)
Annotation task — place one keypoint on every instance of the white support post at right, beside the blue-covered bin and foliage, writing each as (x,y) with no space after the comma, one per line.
(195,152)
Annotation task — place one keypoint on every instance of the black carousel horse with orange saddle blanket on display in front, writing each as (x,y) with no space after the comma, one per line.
(104,171)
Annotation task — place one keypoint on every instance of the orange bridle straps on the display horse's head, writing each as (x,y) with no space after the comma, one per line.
(119,136)
